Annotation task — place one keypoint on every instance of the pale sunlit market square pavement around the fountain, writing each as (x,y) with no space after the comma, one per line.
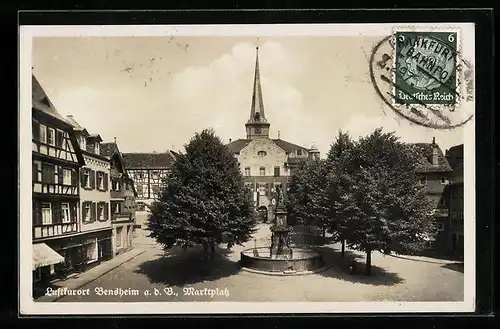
(177,275)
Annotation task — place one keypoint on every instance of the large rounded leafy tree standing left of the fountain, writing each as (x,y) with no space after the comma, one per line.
(205,201)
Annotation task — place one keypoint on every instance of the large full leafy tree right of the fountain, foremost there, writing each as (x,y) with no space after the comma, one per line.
(384,207)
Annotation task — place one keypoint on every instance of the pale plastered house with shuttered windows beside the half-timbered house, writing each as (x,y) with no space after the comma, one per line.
(96,226)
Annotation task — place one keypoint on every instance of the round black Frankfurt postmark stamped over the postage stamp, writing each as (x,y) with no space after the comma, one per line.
(418,75)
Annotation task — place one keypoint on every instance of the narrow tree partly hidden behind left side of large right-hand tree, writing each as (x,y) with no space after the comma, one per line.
(332,196)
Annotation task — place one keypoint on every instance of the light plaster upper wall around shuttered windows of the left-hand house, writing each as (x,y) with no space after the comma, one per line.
(95,195)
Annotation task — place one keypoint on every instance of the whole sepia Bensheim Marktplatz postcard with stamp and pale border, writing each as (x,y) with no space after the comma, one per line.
(247,169)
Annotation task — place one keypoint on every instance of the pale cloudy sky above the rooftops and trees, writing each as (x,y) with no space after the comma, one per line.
(154,93)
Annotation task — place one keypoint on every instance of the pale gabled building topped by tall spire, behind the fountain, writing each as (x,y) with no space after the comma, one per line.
(265,163)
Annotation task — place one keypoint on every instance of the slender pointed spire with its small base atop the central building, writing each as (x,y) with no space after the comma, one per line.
(257,126)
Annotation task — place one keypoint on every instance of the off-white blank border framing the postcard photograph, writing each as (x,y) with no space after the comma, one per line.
(29,307)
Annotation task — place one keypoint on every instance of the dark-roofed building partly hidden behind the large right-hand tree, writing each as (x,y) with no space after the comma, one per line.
(435,172)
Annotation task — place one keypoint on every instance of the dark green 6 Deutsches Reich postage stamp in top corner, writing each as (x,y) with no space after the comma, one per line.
(426,67)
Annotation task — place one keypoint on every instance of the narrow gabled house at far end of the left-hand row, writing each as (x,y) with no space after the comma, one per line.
(123,205)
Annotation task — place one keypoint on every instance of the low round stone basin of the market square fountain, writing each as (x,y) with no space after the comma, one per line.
(303,260)
